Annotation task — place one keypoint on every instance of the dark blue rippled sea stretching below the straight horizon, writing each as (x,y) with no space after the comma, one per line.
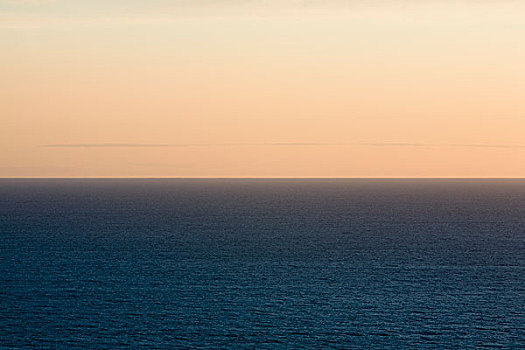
(265,264)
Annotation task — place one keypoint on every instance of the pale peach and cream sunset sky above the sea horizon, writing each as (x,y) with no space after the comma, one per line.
(254,88)
